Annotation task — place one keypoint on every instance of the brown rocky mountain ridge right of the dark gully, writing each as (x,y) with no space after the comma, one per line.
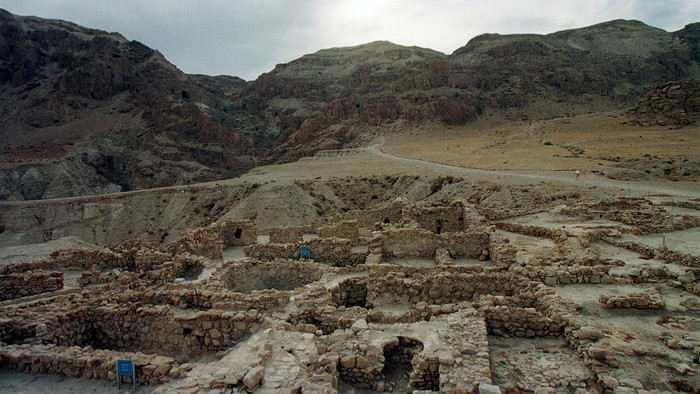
(327,99)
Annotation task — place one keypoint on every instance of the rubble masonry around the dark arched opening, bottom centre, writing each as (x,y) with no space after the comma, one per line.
(456,363)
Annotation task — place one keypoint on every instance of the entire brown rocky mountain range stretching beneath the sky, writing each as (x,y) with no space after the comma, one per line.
(83,111)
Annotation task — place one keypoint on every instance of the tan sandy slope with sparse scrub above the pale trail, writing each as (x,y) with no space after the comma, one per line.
(587,142)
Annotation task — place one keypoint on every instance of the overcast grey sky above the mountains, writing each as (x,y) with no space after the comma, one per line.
(248,37)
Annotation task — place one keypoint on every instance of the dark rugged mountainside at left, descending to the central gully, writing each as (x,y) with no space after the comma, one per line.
(85,112)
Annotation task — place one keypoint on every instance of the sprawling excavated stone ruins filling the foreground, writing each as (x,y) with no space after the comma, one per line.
(400,297)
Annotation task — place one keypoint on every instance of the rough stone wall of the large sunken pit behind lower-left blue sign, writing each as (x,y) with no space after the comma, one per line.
(149,329)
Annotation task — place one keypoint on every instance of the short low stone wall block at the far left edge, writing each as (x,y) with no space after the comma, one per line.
(29,283)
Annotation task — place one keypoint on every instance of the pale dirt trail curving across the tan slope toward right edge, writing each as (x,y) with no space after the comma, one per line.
(634,188)
